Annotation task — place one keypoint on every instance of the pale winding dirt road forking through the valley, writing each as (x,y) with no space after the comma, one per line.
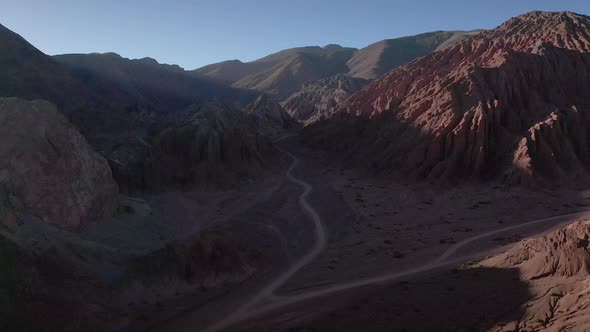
(266,300)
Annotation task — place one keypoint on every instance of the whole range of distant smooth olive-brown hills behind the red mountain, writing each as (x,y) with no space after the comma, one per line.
(284,72)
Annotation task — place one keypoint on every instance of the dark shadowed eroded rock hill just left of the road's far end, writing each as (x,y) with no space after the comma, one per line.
(215,147)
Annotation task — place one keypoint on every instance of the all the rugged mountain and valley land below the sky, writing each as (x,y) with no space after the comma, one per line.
(192,205)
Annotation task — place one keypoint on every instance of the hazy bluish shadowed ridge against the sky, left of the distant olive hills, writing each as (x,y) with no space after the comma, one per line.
(163,87)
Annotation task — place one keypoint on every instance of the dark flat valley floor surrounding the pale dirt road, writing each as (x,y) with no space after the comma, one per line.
(377,226)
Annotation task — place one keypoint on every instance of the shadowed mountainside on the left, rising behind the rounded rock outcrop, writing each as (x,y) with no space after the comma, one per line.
(145,114)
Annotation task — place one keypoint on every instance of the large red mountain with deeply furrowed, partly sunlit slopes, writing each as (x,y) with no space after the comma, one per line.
(512,101)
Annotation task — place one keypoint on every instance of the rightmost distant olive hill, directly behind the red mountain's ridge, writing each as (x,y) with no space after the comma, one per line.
(381,57)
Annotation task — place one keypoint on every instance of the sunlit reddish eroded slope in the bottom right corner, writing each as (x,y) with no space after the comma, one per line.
(556,268)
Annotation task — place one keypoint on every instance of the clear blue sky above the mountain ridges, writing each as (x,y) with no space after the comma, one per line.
(199,32)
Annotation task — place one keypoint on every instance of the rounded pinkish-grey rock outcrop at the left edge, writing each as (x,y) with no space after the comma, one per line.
(48,169)
